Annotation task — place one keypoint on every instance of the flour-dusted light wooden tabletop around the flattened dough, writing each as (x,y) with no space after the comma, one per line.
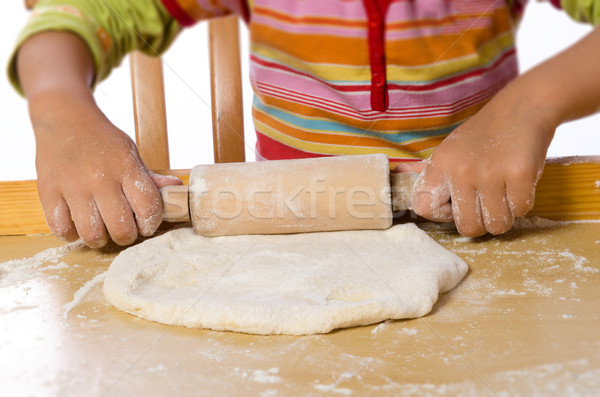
(524,321)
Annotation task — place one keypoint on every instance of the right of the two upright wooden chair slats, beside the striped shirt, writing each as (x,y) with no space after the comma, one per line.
(226,90)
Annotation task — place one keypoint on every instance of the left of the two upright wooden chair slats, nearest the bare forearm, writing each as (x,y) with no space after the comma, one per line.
(149,110)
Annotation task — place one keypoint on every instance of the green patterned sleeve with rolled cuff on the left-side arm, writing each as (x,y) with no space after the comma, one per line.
(110,28)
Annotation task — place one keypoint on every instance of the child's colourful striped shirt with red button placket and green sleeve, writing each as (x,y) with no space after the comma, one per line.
(333,77)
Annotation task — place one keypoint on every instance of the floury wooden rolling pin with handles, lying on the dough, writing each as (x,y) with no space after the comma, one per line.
(290,196)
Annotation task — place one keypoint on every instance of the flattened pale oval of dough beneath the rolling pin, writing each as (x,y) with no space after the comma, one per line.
(283,284)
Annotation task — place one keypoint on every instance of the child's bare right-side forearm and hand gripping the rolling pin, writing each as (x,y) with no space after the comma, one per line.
(484,173)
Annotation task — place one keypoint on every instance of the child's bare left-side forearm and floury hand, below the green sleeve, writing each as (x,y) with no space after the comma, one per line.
(90,177)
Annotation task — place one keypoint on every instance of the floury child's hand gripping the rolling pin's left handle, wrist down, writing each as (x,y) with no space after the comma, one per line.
(91,180)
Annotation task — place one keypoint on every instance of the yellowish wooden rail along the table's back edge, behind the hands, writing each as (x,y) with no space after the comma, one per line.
(566,191)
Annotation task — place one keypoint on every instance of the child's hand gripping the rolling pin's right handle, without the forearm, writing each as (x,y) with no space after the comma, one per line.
(484,173)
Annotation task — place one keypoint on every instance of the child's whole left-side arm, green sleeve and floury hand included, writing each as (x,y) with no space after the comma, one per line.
(91,180)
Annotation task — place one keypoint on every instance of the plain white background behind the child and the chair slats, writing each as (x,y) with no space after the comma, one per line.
(543,32)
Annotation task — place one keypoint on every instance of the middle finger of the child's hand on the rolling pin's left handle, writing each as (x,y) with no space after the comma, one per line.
(117,215)
